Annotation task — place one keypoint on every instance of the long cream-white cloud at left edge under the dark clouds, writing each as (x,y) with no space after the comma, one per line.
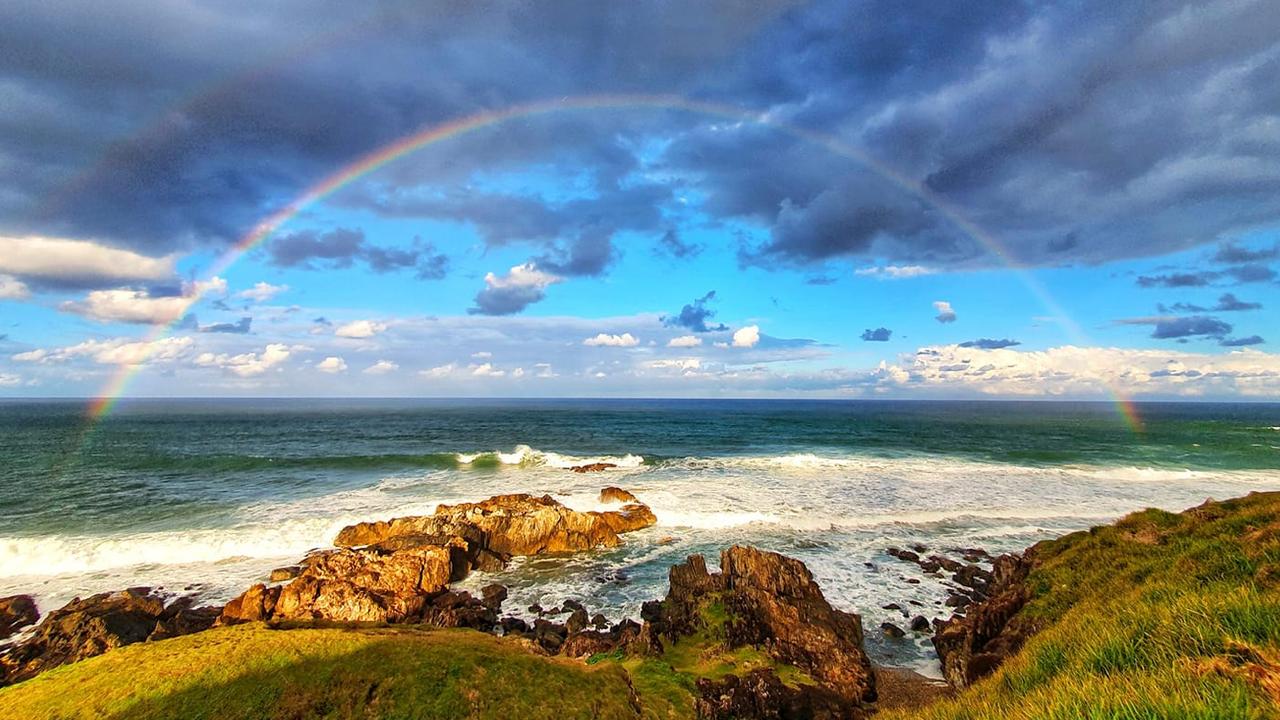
(77,261)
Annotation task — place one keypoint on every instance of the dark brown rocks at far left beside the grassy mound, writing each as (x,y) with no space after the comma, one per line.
(94,626)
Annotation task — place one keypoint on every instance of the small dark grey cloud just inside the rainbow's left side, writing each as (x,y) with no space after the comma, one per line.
(342,248)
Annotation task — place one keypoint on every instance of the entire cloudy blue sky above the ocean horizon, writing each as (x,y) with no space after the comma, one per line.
(774,199)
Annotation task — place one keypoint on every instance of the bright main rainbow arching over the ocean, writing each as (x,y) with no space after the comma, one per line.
(372,162)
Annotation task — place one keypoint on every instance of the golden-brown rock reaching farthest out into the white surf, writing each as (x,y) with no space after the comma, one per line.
(508,526)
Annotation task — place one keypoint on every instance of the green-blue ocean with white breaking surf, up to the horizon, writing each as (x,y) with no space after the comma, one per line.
(208,496)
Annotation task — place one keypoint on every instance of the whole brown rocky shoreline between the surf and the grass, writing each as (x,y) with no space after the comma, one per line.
(806,659)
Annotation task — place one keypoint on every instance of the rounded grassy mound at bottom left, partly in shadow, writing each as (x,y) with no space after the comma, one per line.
(257,673)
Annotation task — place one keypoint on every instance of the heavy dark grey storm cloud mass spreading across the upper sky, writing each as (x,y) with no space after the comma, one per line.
(1071,133)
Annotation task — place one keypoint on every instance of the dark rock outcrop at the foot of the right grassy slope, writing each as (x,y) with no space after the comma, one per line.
(973,645)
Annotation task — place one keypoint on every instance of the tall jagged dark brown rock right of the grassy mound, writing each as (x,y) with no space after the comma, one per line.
(774,604)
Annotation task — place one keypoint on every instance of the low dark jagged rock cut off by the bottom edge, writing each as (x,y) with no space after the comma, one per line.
(761,695)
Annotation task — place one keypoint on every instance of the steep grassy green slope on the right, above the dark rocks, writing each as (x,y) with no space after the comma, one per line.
(1162,616)
